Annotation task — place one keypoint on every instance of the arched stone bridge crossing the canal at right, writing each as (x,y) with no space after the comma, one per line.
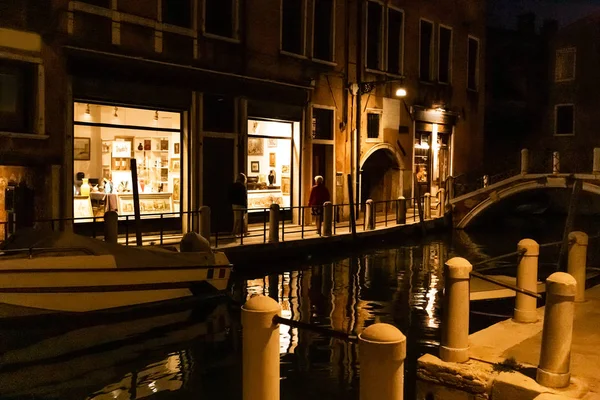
(467,207)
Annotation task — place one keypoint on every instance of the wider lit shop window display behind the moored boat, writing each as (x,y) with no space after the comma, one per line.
(106,139)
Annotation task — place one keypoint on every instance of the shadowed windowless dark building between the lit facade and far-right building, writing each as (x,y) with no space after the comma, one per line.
(516,91)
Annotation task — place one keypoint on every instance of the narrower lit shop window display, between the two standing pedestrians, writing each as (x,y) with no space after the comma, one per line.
(269,160)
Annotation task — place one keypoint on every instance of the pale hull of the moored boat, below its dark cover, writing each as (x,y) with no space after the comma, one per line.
(87,284)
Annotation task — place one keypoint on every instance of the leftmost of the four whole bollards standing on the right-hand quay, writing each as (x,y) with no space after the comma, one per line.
(454,346)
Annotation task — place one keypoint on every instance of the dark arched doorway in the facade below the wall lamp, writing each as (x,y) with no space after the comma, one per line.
(380,175)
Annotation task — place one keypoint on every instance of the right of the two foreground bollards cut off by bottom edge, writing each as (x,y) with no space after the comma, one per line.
(382,351)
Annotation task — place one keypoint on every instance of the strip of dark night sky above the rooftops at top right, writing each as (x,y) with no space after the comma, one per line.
(504,12)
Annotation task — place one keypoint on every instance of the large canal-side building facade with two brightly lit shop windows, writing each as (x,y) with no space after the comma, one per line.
(197,91)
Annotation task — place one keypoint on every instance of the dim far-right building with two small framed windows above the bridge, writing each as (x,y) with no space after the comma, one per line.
(571,118)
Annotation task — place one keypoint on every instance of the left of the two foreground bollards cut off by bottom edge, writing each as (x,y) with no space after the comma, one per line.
(260,351)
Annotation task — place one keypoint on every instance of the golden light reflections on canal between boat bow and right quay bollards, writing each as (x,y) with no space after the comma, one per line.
(400,286)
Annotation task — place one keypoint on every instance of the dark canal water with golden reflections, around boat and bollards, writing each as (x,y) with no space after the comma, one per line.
(196,354)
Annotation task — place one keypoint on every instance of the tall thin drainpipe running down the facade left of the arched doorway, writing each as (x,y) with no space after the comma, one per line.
(359,77)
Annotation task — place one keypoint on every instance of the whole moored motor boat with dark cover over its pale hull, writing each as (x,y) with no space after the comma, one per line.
(43,273)
